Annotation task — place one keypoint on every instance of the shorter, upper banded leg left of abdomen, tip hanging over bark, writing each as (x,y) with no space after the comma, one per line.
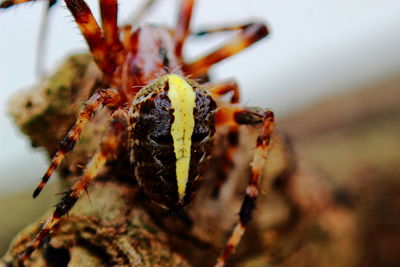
(101,97)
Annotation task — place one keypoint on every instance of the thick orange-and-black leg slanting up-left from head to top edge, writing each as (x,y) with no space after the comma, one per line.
(93,35)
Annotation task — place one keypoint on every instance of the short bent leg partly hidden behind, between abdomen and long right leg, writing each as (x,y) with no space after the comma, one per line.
(219,90)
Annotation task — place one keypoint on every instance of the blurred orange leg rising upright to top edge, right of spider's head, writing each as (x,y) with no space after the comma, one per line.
(182,28)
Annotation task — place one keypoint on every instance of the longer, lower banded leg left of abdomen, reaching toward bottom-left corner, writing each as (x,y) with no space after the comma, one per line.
(107,147)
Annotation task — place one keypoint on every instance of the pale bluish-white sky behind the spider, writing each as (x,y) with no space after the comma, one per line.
(316,48)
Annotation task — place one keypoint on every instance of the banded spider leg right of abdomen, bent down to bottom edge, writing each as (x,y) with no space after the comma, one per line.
(250,117)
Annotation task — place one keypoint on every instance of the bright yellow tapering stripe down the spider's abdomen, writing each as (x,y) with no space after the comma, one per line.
(183,101)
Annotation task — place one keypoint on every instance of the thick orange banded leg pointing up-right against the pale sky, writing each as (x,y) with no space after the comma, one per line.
(250,34)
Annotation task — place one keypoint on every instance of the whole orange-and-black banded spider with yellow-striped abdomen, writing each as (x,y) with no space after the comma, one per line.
(170,117)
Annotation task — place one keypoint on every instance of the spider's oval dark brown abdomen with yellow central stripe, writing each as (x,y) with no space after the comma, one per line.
(172,128)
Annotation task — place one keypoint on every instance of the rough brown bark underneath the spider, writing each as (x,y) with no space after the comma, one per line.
(303,218)
